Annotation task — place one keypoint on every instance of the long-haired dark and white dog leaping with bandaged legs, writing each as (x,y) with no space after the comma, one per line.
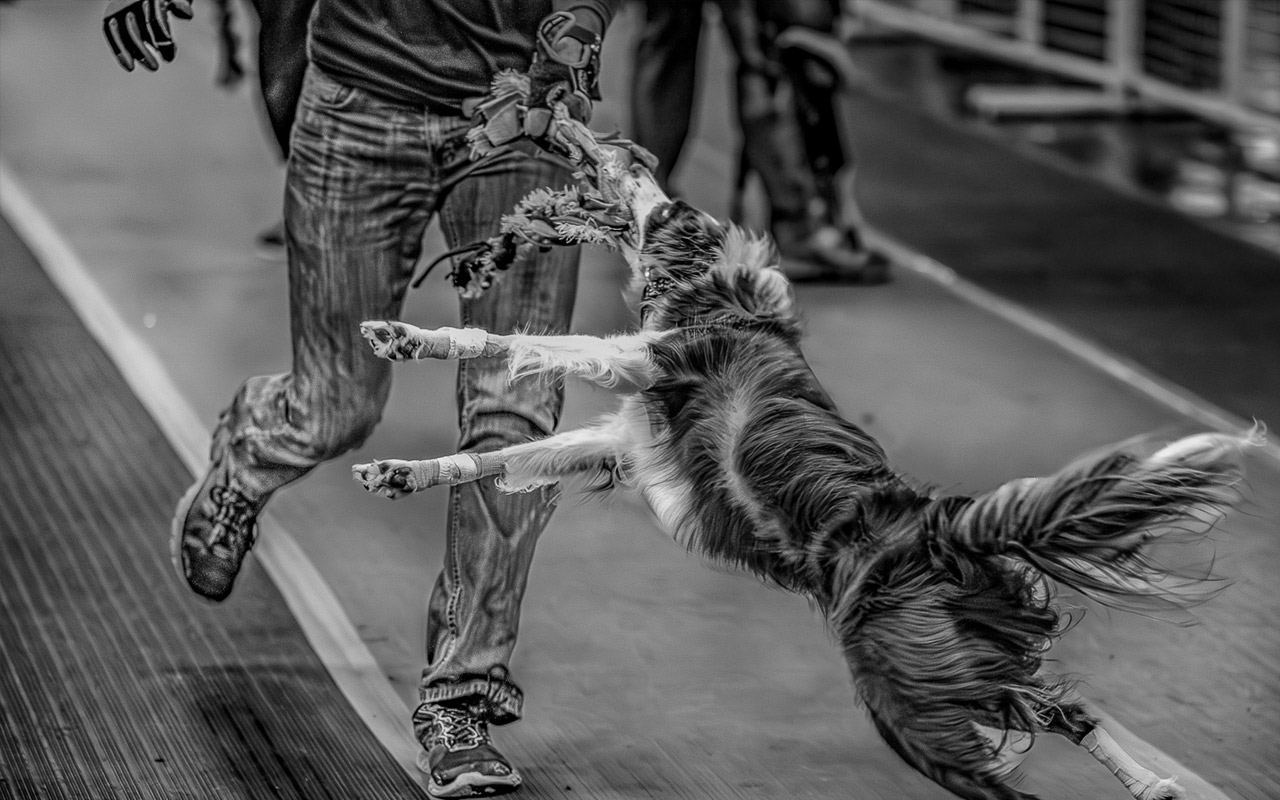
(943,605)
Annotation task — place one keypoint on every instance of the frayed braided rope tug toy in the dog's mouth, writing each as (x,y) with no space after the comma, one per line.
(596,212)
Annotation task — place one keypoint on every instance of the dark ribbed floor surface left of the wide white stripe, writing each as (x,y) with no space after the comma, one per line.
(115,682)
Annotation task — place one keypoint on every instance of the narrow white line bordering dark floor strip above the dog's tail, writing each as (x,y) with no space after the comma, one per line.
(1164,392)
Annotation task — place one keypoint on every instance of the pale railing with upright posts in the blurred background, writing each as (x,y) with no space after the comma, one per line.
(1219,60)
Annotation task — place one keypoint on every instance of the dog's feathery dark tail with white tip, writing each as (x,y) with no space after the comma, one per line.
(1087,527)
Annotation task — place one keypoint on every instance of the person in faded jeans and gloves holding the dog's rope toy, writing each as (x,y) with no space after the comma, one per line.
(378,149)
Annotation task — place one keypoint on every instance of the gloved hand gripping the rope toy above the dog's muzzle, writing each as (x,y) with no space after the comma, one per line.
(566,70)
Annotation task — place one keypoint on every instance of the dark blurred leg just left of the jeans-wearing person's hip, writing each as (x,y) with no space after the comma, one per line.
(282,63)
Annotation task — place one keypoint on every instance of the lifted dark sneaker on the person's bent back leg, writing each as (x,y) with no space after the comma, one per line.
(213,531)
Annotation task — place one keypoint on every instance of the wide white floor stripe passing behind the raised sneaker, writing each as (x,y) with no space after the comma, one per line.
(324,623)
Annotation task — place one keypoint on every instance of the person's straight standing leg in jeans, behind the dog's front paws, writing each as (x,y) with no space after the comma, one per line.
(474,612)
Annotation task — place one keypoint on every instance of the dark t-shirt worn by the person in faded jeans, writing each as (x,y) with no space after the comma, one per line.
(431,53)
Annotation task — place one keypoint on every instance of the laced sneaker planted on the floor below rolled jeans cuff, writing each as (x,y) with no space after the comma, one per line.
(458,755)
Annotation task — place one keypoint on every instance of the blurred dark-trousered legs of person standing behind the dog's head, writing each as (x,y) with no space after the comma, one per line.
(788,86)
